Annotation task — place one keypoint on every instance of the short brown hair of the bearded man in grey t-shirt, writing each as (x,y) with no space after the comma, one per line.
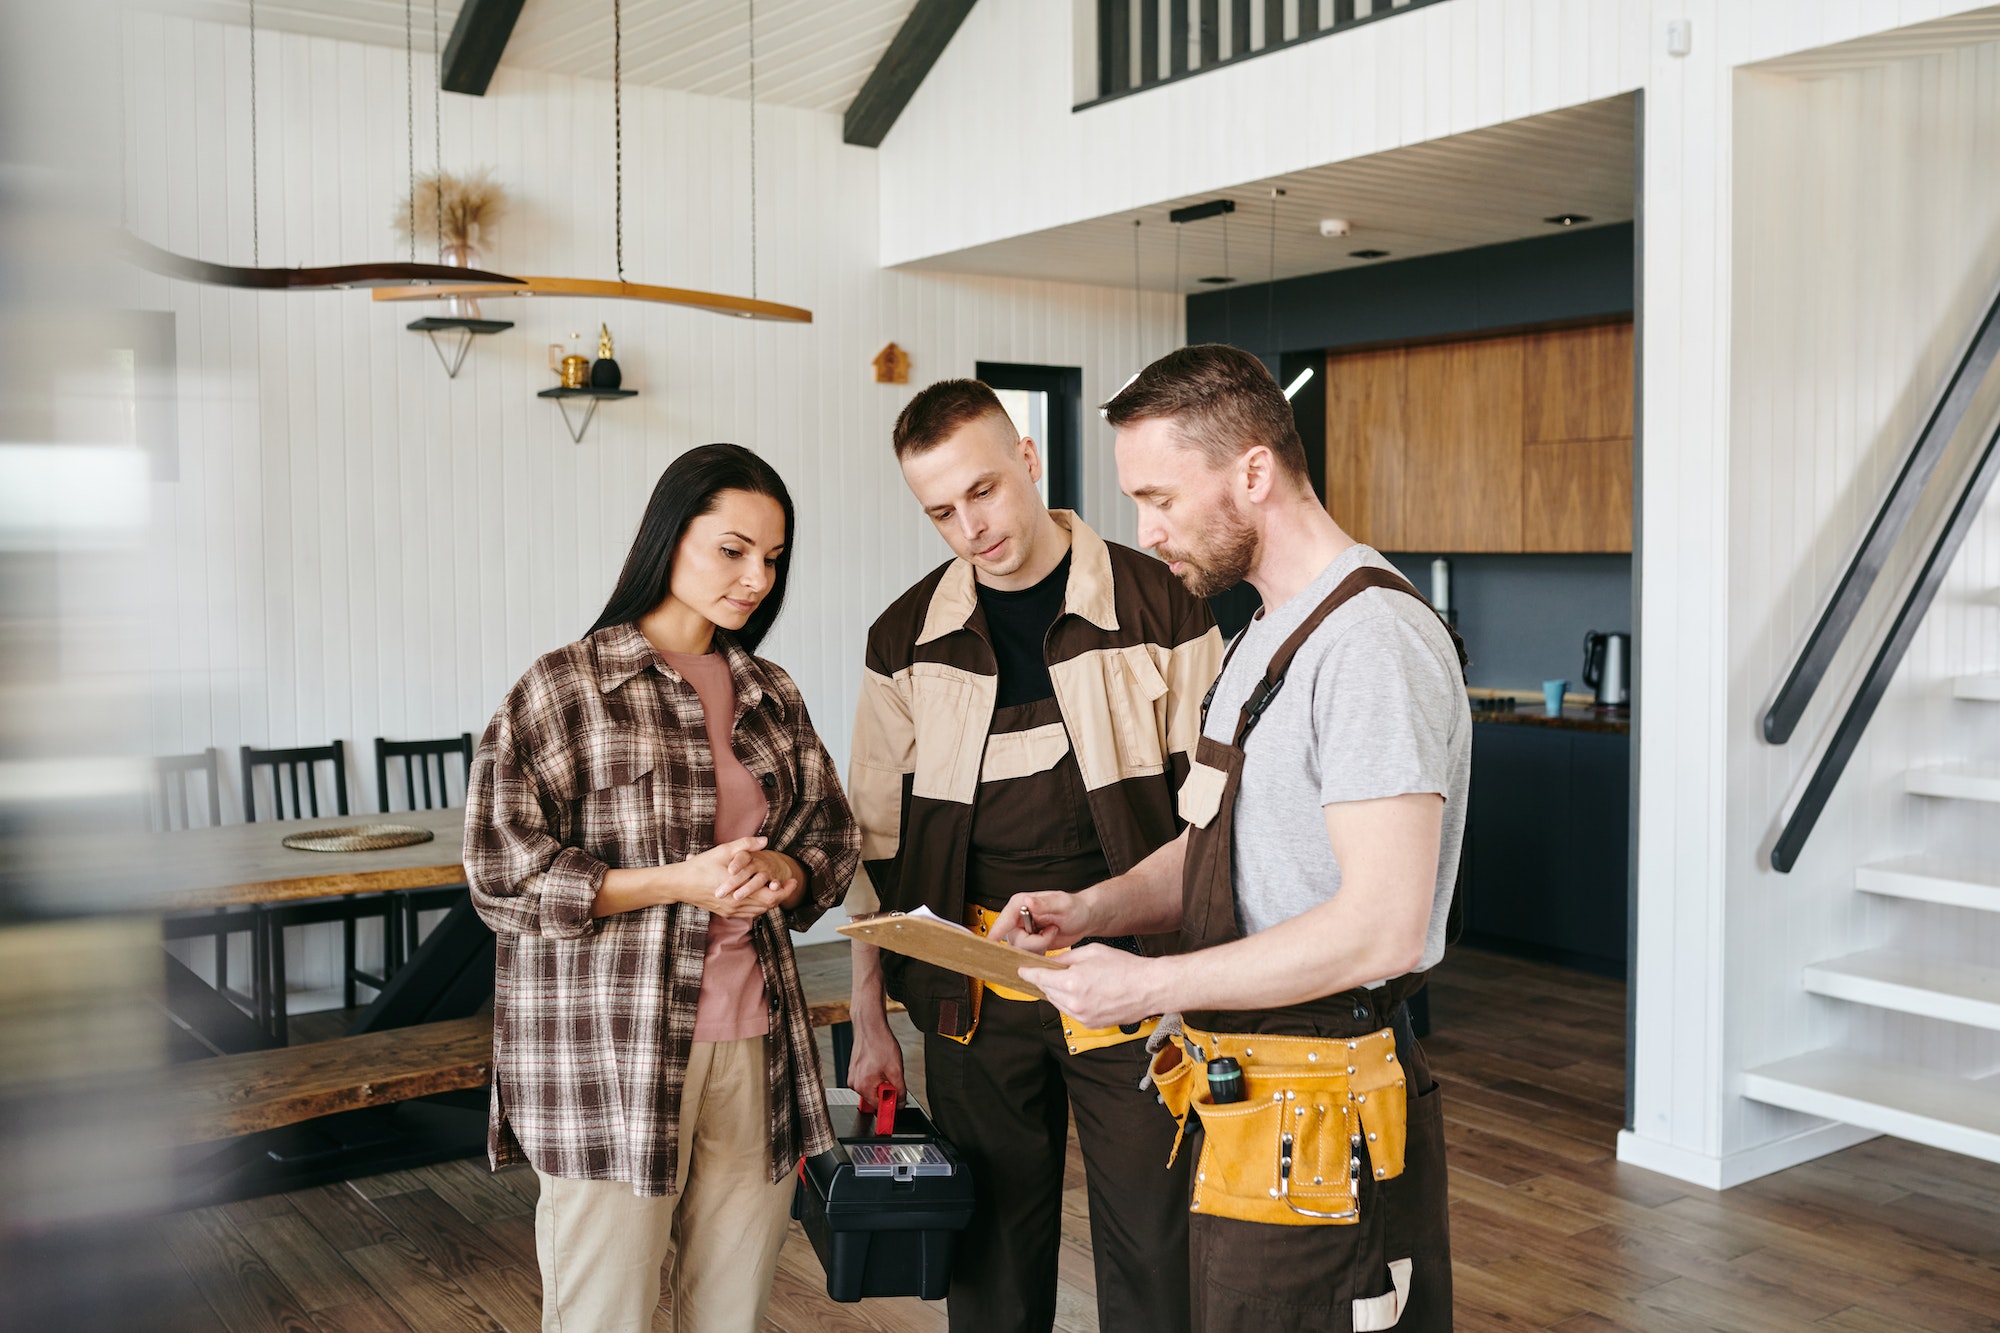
(1221,401)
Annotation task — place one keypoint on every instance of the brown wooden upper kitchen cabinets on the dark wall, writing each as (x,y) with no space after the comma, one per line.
(1491,445)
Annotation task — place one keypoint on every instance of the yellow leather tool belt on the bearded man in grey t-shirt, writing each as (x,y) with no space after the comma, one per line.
(1293,1150)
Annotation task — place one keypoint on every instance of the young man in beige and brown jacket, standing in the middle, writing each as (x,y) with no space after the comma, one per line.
(1027,716)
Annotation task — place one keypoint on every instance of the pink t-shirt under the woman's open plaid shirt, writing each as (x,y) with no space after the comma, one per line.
(733,1002)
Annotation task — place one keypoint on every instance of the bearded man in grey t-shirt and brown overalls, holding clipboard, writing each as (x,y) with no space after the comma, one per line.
(1311,890)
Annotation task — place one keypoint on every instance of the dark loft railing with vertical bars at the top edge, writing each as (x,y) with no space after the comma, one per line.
(1149,43)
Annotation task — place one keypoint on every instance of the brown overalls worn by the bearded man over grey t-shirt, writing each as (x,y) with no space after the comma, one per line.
(1255,1276)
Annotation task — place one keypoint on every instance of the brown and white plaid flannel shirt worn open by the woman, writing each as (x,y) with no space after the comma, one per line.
(597,760)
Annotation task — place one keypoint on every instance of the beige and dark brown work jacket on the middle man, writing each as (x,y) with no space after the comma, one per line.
(1131,657)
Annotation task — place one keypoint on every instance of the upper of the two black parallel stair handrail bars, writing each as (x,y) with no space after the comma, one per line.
(1809,670)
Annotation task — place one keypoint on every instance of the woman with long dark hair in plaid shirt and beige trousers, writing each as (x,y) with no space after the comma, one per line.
(649,818)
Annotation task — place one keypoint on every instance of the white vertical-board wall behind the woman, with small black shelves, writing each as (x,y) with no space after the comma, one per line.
(363,547)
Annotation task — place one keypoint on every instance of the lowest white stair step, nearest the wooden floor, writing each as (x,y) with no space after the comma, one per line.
(1961,1116)
